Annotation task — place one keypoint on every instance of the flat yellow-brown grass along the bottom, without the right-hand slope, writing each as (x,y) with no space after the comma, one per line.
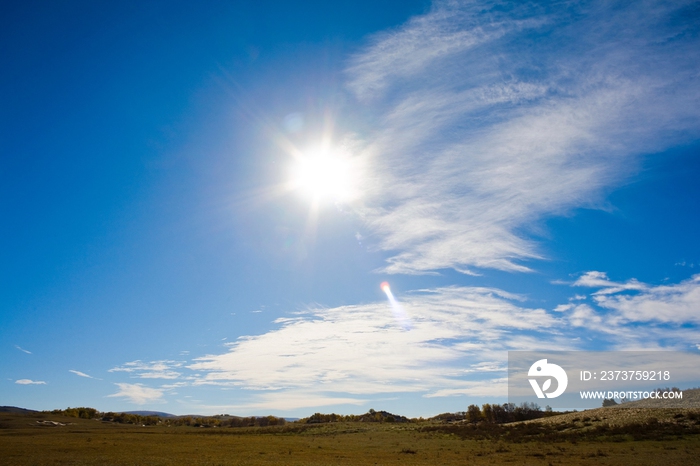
(23,441)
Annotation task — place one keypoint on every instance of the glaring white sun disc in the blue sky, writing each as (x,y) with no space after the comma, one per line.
(325,174)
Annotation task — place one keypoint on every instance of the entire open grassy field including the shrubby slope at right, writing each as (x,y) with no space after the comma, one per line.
(648,437)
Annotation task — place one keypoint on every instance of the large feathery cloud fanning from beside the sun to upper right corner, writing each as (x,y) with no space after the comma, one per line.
(491,116)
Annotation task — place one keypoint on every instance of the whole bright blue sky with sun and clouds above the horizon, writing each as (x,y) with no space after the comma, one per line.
(200,202)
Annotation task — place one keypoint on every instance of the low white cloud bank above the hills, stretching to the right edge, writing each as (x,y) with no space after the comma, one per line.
(456,346)
